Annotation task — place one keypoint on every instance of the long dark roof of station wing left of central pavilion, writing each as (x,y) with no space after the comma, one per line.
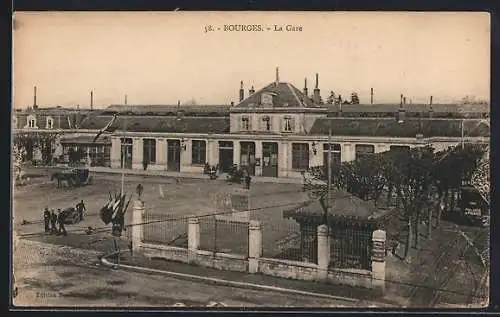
(160,124)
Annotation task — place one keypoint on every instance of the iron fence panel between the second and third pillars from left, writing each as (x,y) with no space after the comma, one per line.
(222,235)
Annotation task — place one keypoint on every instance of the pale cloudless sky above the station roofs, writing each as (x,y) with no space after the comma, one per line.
(163,57)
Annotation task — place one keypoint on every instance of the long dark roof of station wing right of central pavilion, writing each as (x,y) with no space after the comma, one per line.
(389,127)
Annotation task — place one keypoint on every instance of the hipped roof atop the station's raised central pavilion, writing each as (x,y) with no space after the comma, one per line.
(286,94)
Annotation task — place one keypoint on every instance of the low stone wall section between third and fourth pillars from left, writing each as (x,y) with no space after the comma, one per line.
(289,269)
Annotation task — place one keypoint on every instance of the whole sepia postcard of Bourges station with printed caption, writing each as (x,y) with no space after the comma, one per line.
(195,160)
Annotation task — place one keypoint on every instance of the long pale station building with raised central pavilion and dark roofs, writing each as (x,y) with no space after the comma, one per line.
(277,131)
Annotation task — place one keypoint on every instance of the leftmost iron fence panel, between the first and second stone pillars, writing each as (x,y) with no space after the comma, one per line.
(163,228)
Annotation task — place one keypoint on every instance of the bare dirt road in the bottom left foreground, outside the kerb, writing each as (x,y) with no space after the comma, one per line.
(49,275)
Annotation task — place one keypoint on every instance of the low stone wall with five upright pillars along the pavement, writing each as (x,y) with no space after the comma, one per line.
(255,263)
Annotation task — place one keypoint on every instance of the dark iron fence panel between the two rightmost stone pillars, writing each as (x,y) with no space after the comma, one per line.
(350,247)
